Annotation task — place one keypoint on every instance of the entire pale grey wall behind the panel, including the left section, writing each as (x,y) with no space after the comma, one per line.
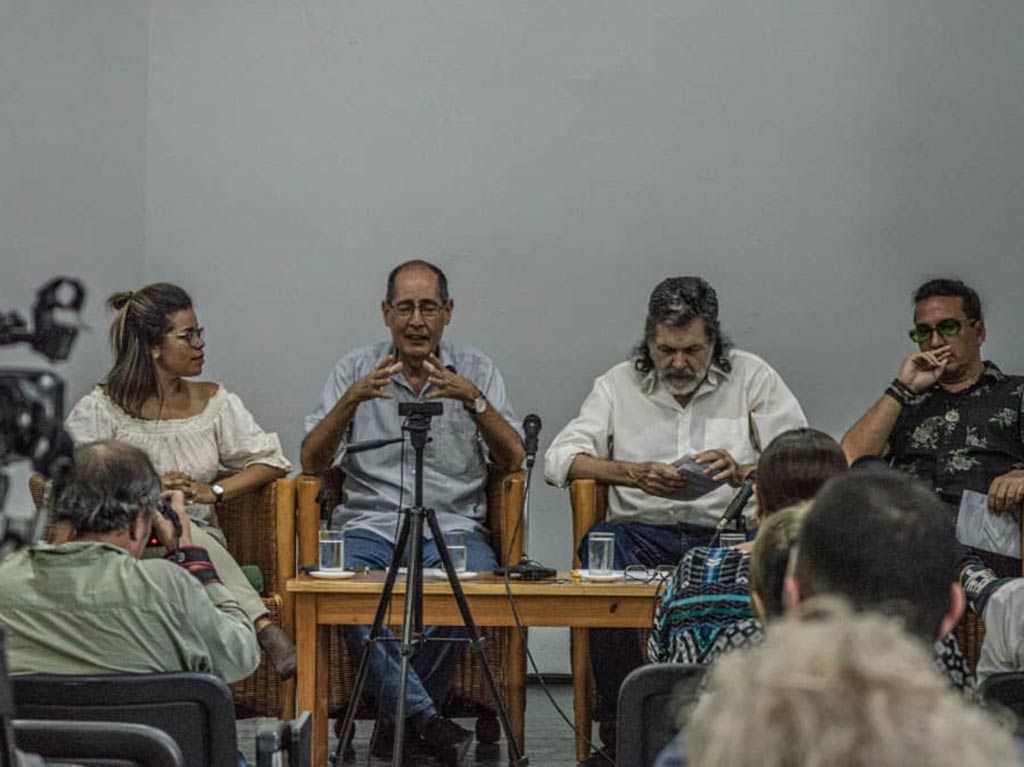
(814,160)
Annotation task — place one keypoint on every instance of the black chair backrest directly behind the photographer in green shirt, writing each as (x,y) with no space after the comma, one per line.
(196,710)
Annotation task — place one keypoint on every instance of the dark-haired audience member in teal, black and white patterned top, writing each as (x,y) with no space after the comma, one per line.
(707,609)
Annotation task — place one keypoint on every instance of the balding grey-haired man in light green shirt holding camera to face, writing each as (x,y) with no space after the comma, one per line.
(93,606)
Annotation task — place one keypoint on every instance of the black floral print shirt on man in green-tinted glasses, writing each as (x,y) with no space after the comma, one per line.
(962,442)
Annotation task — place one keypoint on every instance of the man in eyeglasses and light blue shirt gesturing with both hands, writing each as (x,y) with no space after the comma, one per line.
(361,404)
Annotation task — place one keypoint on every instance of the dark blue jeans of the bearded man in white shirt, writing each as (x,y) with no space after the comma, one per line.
(615,653)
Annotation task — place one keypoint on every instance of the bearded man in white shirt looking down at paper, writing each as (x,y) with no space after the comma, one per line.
(685,393)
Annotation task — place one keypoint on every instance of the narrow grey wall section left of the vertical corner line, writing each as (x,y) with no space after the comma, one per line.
(72,166)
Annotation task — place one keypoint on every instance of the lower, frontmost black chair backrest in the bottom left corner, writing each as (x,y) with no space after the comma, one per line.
(99,744)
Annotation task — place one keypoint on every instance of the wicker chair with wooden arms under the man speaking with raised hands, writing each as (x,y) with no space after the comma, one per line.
(471,696)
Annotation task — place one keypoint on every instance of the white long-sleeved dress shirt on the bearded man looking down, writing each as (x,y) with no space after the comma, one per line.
(629,416)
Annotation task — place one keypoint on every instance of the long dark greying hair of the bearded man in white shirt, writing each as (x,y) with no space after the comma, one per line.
(676,303)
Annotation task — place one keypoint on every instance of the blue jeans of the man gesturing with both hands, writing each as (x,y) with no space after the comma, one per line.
(432,666)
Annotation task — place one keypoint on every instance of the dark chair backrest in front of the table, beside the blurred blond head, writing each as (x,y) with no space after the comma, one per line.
(650,702)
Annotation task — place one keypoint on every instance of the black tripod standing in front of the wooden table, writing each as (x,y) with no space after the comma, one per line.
(418,424)
